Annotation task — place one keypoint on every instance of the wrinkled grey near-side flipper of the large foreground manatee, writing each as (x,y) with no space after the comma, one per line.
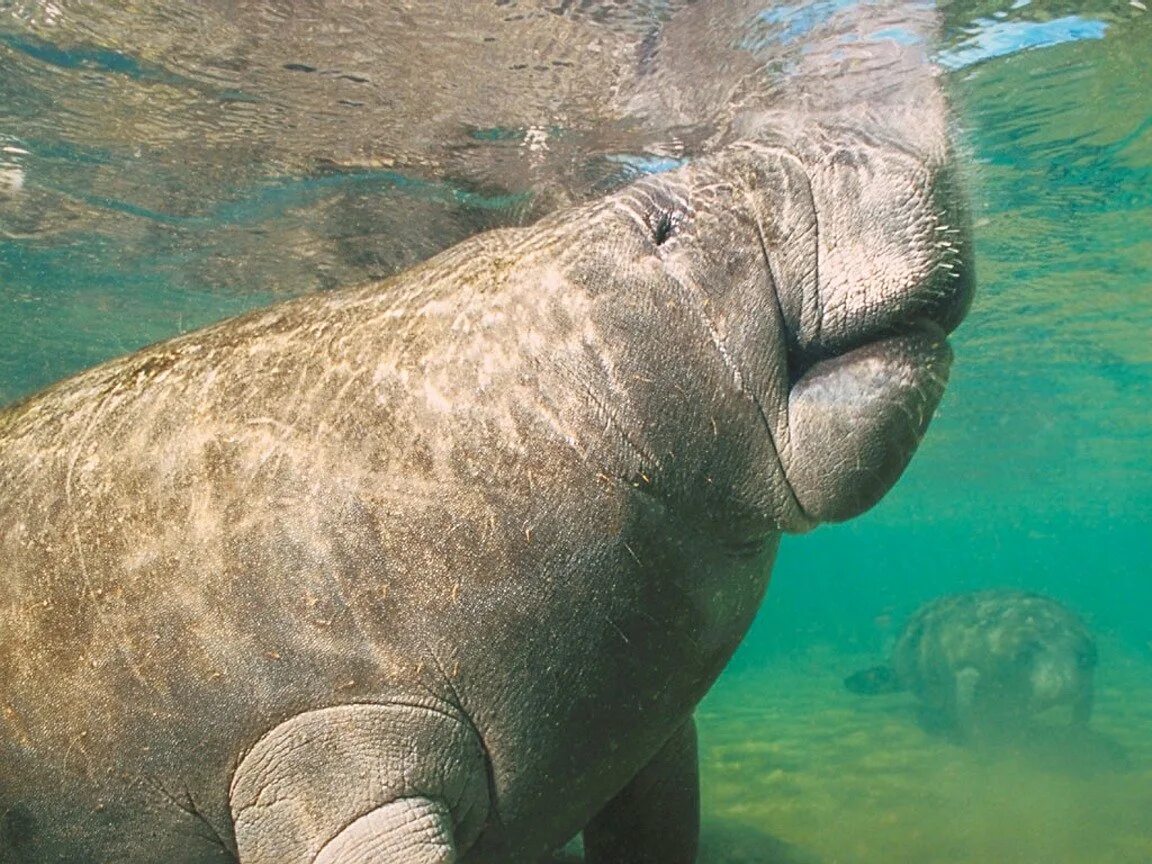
(404,784)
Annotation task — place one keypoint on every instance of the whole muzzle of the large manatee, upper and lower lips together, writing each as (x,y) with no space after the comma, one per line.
(869,358)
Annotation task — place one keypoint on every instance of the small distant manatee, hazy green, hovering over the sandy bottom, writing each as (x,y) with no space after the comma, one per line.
(984,658)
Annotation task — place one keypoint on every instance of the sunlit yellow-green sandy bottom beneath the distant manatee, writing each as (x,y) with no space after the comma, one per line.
(795,770)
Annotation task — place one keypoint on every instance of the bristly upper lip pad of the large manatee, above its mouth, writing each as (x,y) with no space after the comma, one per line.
(892,252)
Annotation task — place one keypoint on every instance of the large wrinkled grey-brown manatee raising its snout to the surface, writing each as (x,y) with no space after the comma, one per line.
(437,570)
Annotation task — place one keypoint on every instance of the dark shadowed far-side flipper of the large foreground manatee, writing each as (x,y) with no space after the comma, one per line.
(656,818)
